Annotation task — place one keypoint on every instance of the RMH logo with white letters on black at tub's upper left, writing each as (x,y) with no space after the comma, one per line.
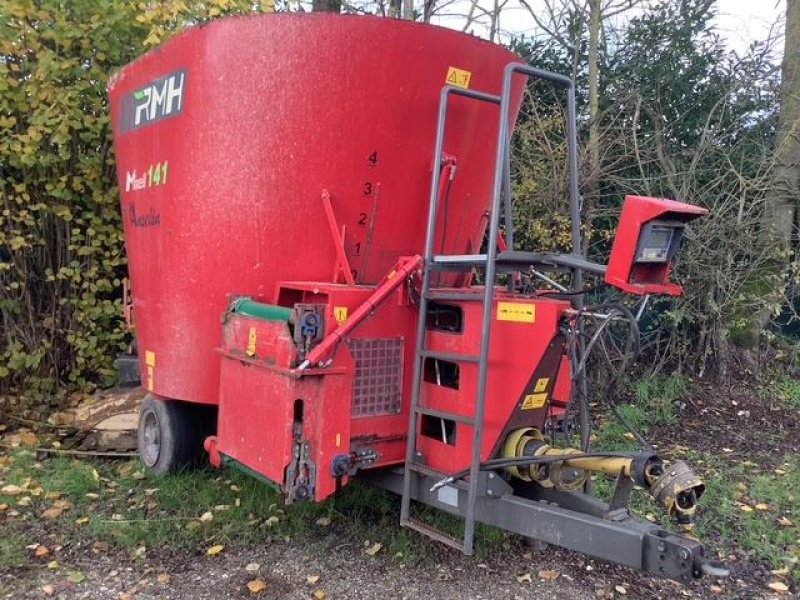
(159,100)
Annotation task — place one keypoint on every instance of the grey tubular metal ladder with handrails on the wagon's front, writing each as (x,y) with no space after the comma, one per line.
(489,261)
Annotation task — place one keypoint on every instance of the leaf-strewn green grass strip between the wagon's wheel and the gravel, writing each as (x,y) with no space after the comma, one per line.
(116,502)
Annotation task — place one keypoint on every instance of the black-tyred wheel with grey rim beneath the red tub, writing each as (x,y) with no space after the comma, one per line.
(170,436)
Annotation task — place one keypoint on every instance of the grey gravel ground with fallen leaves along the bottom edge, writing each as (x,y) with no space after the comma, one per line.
(344,572)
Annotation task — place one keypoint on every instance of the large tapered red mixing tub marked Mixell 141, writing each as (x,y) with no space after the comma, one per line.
(227,135)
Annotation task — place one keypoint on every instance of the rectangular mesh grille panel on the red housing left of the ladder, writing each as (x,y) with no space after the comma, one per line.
(378,384)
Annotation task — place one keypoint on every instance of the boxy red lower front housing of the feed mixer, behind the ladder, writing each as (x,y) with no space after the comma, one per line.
(359,402)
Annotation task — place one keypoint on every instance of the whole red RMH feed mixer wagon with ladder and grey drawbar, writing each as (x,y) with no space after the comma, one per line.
(310,202)
